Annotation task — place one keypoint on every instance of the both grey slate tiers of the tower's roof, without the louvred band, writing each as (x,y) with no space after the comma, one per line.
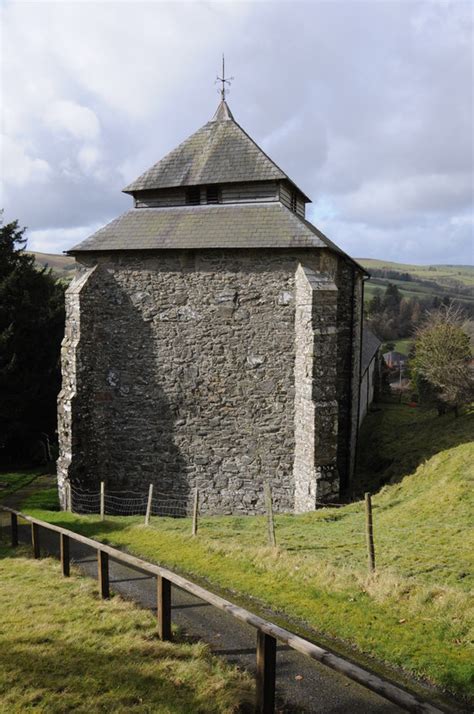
(219,152)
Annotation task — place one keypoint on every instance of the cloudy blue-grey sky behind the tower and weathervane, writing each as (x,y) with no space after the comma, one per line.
(366,104)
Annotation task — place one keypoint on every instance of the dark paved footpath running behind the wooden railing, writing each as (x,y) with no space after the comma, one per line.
(303,685)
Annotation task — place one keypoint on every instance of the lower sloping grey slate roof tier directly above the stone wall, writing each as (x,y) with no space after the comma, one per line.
(260,225)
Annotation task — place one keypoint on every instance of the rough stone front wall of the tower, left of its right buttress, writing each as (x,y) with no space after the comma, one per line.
(178,370)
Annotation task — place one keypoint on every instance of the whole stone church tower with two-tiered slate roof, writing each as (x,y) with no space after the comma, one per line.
(213,338)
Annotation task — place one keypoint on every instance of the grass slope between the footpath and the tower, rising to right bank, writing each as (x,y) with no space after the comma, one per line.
(415,614)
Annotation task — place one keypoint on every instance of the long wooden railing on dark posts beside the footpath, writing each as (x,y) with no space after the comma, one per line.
(267,633)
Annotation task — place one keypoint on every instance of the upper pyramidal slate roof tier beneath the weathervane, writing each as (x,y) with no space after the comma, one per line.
(219,152)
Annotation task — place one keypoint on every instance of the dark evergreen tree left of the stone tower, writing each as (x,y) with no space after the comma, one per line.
(31,329)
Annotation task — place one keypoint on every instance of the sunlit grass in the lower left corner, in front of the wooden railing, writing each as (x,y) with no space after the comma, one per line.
(62,650)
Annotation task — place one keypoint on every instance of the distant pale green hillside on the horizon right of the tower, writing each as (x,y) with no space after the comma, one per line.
(422,281)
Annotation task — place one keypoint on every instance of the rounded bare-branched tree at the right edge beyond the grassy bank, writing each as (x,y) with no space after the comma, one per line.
(443,355)
